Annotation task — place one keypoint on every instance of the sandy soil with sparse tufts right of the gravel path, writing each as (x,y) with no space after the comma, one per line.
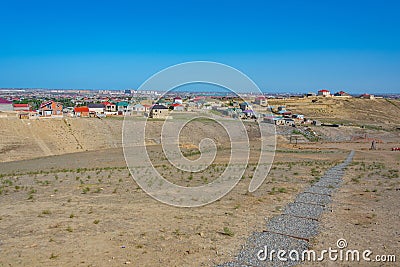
(366,210)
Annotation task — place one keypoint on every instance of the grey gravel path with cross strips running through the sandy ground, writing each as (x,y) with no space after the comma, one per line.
(292,230)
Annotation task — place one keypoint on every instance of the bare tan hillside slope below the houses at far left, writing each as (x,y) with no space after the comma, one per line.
(22,139)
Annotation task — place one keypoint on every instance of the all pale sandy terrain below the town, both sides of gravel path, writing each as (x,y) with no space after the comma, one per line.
(67,198)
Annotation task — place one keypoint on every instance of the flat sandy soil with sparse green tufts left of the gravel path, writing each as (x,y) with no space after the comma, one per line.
(99,215)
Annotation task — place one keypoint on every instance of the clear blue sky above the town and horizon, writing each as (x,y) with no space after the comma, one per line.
(288,45)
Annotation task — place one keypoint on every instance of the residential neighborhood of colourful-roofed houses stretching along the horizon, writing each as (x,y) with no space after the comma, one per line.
(27,104)
